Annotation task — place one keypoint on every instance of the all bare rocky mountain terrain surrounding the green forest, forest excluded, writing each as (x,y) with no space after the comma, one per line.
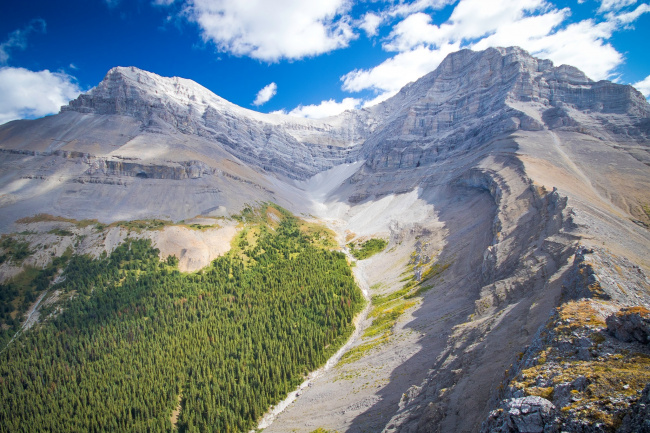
(513,194)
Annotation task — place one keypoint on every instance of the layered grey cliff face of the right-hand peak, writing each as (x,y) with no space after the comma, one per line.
(473,97)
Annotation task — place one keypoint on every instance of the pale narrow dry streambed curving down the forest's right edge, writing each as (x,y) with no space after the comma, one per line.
(362,282)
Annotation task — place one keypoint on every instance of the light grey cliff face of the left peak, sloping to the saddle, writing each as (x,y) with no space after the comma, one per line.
(269,142)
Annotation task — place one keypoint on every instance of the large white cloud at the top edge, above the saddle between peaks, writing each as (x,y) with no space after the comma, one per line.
(270,31)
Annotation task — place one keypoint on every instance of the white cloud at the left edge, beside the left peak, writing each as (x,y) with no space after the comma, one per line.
(29,94)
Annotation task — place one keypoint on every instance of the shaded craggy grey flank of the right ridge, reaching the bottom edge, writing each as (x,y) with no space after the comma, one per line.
(451,383)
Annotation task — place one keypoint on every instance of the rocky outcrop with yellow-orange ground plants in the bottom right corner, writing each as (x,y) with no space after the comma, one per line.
(592,370)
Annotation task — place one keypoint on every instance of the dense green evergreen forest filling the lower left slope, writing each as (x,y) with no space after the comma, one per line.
(142,347)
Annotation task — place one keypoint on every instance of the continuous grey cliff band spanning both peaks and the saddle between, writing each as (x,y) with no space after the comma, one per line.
(470,98)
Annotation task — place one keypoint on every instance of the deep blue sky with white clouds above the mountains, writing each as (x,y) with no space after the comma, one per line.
(304,58)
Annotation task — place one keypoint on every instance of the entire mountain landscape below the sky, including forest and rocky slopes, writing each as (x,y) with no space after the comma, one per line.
(504,202)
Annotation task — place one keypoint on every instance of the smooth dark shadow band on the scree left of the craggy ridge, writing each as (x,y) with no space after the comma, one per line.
(449,303)
